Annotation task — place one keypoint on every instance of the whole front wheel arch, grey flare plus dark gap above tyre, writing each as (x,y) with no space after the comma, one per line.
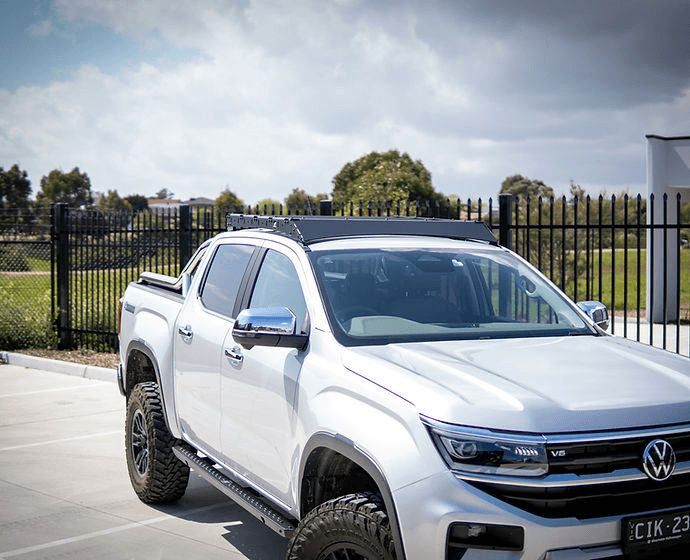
(332,464)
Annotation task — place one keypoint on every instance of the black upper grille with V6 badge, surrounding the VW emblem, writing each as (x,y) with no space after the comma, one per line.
(583,458)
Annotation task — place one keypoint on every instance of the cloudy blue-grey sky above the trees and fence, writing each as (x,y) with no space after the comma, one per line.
(263,96)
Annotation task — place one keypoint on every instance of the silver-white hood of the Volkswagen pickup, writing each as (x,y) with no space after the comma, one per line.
(535,385)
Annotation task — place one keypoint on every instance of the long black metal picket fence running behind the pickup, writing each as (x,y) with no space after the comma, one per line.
(80,261)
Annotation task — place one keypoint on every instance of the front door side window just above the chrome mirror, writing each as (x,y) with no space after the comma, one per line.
(277,285)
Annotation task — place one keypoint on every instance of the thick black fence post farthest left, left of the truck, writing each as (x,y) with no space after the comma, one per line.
(61,248)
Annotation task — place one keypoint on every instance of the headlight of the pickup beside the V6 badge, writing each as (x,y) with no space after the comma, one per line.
(483,452)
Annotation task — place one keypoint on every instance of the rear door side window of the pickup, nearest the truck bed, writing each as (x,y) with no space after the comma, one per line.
(222,282)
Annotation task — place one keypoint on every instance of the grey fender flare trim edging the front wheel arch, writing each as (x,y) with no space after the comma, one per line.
(347,448)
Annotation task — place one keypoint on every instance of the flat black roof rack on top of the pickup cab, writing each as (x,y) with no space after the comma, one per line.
(310,229)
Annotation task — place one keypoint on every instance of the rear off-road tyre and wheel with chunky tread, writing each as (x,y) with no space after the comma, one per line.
(157,476)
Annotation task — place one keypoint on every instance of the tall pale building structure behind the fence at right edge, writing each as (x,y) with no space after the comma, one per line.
(668,172)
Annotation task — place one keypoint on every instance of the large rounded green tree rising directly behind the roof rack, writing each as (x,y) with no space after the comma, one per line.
(383,177)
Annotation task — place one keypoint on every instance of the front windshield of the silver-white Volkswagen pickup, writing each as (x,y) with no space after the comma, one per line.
(377,296)
